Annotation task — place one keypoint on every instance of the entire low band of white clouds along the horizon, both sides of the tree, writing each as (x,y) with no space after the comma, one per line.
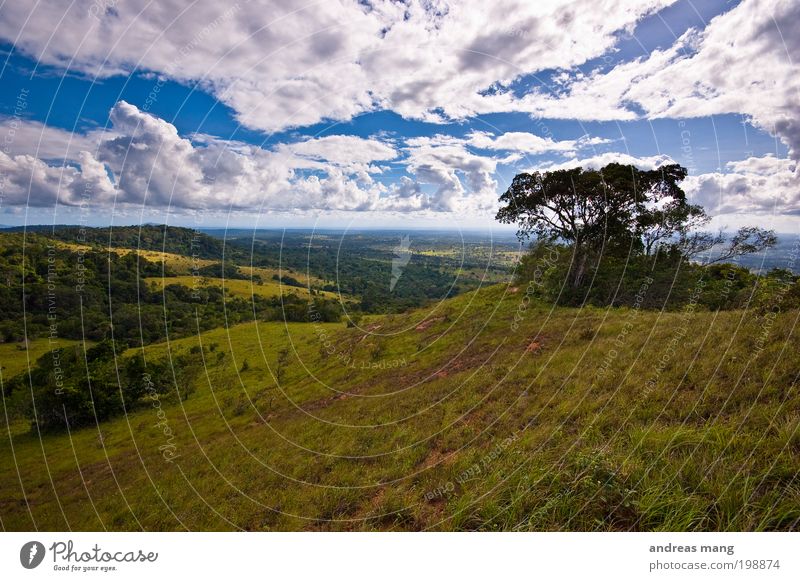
(143,161)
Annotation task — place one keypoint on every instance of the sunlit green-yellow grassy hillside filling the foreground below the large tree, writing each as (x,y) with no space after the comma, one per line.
(484,412)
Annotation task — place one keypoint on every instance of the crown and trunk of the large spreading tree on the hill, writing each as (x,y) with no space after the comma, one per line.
(617,208)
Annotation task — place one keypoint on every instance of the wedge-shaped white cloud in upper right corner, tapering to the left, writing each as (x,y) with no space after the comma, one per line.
(743,62)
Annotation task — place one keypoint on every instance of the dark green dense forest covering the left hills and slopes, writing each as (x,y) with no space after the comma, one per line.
(54,291)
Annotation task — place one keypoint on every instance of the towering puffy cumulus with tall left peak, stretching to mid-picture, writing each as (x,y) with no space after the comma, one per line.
(153,165)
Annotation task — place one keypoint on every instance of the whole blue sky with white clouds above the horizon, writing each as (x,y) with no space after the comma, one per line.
(395,113)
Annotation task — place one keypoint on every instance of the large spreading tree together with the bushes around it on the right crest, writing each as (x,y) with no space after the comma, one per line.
(620,235)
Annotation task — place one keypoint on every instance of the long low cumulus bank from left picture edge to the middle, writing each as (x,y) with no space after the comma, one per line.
(144,161)
